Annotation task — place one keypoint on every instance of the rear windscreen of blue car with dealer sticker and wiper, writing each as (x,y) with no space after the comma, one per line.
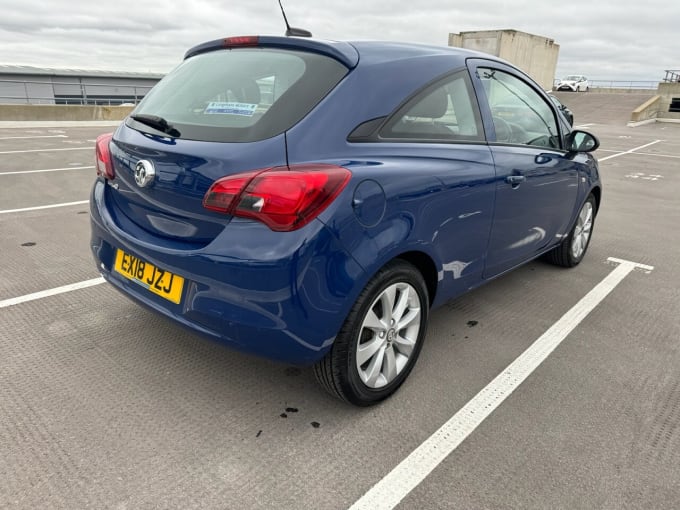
(240,95)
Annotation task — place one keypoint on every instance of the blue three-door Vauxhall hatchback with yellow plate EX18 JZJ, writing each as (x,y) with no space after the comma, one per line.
(310,201)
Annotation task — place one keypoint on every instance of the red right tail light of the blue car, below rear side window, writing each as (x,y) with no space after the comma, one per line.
(283,199)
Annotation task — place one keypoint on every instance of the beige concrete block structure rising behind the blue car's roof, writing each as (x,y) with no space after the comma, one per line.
(534,54)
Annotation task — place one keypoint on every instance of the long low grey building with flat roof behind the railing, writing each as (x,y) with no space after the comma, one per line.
(34,85)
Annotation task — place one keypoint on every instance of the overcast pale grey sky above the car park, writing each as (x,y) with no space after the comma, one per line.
(603,39)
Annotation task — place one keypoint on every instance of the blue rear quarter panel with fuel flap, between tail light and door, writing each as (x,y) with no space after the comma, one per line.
(436,199)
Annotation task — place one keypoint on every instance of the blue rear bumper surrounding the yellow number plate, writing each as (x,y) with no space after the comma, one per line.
(283,296)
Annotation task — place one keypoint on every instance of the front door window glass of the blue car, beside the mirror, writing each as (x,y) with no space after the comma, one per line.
(520,115)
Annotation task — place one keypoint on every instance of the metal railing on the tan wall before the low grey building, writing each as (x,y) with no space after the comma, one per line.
(71,93)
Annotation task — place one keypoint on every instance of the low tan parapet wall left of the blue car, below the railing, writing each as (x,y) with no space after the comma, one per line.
(51,112)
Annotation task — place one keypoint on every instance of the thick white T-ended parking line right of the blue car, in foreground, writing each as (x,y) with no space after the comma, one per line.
(389,491)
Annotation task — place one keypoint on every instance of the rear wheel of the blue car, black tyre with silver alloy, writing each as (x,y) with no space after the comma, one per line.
(379,343)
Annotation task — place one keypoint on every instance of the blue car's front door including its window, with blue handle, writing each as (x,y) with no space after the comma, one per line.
(536,184)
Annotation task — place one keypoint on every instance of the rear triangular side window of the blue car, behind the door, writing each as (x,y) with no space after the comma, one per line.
(446,111)
